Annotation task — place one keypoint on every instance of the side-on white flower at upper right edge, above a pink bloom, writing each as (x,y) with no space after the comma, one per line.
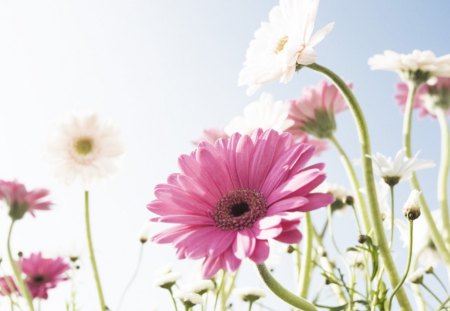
(419,66)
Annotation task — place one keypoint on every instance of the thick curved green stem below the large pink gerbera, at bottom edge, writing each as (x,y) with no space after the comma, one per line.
(282,292)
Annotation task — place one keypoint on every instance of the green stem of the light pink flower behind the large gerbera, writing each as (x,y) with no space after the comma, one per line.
(360,202)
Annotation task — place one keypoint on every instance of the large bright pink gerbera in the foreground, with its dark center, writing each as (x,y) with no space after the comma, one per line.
(231,197)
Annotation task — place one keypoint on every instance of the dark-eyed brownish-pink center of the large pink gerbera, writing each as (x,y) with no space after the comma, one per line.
(239,209)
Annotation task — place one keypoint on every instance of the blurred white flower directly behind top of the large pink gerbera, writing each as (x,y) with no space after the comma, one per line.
(264,113)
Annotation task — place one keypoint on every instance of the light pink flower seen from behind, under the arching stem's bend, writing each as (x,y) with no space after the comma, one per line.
(314,112)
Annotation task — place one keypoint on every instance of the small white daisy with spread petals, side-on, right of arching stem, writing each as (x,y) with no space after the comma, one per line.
(398,169)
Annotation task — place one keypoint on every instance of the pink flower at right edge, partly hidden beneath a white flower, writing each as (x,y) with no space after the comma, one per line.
(427,97)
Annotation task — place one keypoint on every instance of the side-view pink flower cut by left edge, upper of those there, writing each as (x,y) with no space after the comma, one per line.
(20,200)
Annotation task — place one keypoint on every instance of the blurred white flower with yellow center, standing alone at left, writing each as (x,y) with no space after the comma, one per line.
(87,148)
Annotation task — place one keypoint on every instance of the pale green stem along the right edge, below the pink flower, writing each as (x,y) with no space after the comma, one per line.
(443,171)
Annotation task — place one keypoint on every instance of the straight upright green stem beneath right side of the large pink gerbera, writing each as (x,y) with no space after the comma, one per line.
(307,263)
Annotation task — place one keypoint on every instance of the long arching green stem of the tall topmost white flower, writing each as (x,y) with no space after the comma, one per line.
(374,209)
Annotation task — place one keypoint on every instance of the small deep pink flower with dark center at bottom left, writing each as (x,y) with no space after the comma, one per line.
(43,274)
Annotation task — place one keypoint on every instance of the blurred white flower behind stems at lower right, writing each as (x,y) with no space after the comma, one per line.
(423,246)
